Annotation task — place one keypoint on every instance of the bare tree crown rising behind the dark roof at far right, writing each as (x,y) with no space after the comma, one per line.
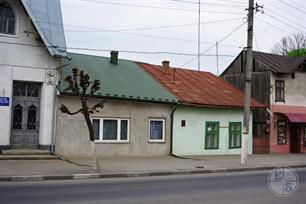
(290,43)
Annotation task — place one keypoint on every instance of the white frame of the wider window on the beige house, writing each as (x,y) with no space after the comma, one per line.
(101,120)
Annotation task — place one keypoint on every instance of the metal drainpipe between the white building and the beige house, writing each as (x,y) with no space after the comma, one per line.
(54,116)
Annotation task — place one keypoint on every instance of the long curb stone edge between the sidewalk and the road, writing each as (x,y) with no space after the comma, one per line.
(134,174)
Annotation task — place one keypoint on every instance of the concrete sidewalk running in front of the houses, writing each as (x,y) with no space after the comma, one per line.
(124,167)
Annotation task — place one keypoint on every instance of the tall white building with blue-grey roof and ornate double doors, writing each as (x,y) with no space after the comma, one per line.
(32,43)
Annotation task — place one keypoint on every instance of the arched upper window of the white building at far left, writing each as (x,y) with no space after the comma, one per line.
(7,18)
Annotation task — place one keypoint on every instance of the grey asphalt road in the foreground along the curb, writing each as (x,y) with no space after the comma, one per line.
(246,187)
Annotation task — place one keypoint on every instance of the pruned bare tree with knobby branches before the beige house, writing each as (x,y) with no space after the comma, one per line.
(80,85)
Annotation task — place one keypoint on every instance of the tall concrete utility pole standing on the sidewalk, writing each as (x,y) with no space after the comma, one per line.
(248,83)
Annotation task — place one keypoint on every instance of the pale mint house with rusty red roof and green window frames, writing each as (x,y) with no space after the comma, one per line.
(208,118)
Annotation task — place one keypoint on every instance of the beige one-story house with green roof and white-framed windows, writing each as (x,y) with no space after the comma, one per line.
(135,120)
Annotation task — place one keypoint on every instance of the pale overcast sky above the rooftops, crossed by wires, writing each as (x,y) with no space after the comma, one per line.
(171,26)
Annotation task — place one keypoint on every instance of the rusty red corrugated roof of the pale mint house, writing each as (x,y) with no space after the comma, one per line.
(199,88)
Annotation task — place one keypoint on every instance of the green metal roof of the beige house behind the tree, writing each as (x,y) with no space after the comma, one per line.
(123,81)
